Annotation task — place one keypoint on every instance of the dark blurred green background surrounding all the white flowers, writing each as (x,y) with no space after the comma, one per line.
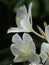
(8,8)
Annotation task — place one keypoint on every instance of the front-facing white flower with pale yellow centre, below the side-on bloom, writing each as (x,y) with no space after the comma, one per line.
(24,49)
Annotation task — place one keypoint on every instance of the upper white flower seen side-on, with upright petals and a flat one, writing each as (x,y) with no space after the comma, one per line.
(23,20)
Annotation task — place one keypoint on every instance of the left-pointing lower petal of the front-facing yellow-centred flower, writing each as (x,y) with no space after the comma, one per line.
(16,50)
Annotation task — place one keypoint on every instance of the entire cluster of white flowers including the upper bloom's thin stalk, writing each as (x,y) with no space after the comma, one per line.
(24,48)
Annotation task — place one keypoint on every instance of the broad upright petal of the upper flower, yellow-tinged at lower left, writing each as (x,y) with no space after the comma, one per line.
(21,13)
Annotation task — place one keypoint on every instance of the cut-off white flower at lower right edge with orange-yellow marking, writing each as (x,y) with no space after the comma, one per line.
(44,51)
